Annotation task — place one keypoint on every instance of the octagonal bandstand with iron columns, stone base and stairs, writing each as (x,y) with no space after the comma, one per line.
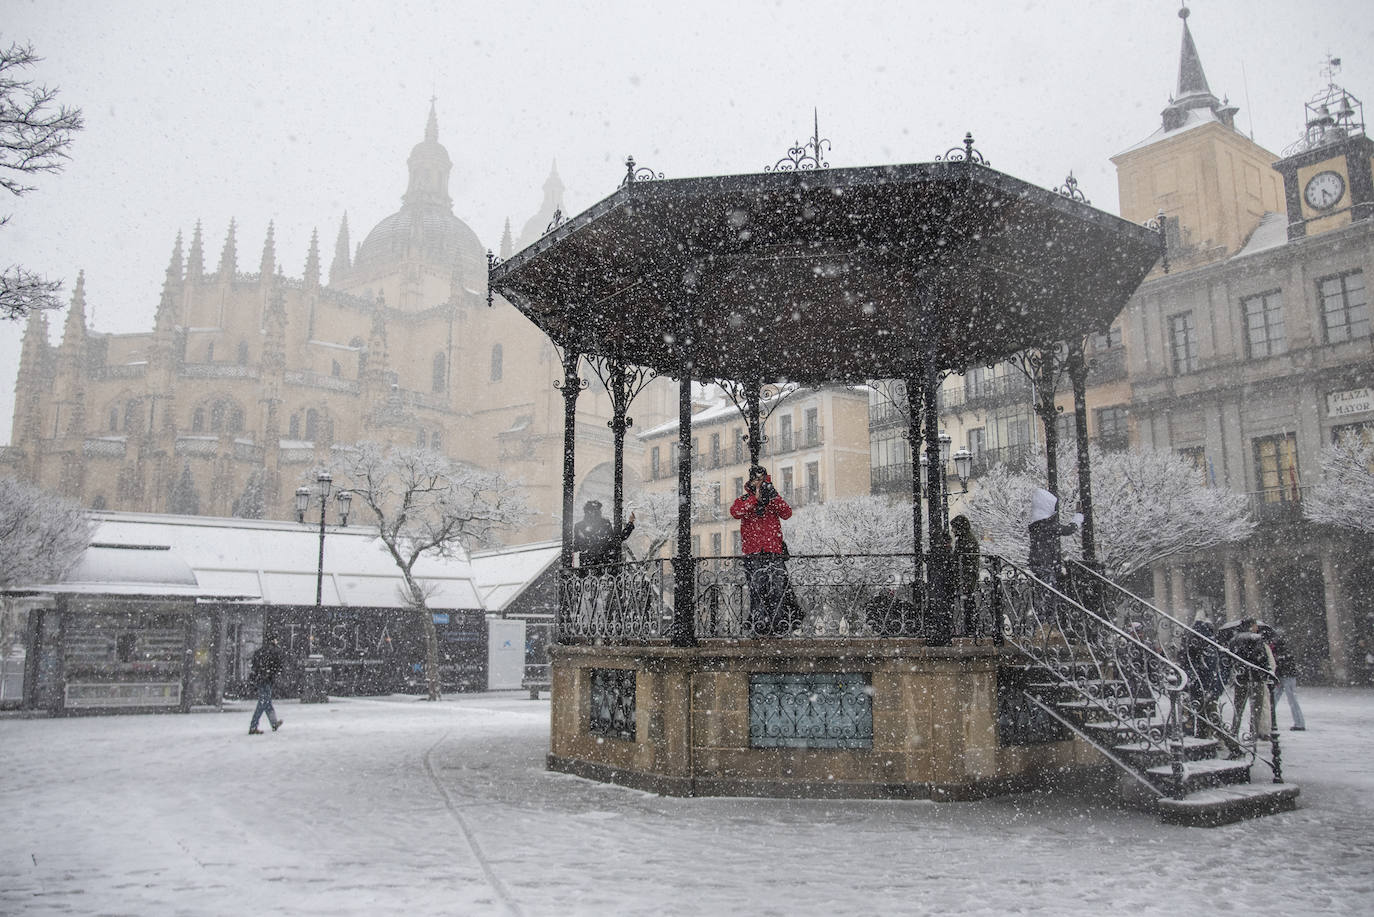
(888,676)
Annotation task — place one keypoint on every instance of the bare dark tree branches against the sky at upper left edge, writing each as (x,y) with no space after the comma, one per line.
(34,138)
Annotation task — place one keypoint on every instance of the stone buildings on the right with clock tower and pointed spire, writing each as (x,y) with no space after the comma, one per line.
(1248,357)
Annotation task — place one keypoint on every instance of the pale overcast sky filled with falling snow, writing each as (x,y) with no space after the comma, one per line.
(299,112)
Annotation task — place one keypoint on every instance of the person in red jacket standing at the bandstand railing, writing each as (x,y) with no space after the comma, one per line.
(761,512)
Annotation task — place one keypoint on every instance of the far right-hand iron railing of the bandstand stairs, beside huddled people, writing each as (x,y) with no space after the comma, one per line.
(1214,705)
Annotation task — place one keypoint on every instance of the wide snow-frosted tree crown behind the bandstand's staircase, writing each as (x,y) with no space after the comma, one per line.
(1147,505)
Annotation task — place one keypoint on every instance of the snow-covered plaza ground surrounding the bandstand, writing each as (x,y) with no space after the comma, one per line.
(395,806)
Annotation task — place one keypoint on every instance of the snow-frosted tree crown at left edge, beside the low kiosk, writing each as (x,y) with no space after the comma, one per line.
(41,537)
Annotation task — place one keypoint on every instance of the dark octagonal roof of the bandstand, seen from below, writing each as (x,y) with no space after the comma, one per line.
(829,274)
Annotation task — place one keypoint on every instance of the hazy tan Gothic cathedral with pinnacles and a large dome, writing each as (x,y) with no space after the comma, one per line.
(249,379)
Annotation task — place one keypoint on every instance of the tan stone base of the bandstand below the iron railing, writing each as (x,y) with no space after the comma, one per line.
(935,722)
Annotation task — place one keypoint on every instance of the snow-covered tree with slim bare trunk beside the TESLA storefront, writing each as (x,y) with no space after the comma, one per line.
(425,504)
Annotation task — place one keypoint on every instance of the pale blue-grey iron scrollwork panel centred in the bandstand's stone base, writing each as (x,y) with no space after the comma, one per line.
(811,710)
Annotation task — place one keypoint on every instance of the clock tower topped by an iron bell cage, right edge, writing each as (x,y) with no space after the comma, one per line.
(1329,174)
